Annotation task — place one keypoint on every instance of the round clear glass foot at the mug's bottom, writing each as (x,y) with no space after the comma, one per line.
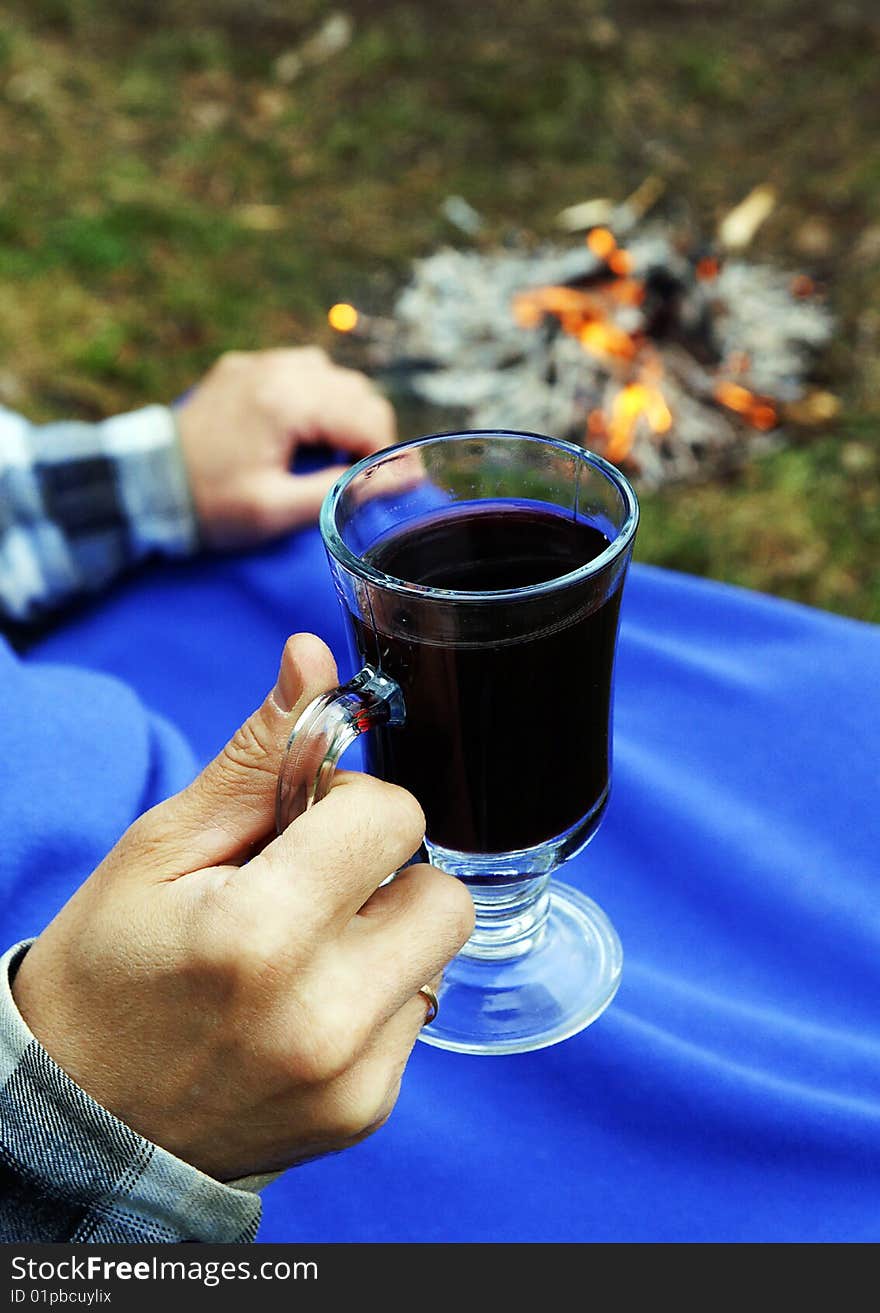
(514,1005)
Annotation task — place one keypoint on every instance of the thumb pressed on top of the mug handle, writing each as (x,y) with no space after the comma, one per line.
(231,807)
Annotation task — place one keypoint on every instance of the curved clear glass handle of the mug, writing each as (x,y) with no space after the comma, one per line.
(329,725)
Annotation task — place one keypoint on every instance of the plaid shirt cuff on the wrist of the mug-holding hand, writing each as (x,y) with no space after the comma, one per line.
(73,1172)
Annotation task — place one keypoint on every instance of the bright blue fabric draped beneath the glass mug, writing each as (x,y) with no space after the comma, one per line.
(732,1092)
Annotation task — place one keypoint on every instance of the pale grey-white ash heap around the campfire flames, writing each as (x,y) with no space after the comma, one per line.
(456,313)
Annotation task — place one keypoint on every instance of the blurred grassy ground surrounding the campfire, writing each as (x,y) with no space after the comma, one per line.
(185,177)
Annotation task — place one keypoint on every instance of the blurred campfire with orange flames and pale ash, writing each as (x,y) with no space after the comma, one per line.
(673,362)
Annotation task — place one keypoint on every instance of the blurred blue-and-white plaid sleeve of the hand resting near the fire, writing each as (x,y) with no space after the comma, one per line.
(82,502)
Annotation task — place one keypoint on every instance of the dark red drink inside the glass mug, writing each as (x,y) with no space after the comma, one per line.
(506,741)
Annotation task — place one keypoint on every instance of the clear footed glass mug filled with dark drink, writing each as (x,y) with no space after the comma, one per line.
(481,578)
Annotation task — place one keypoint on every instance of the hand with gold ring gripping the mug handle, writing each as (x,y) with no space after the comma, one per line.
(246,1001)
